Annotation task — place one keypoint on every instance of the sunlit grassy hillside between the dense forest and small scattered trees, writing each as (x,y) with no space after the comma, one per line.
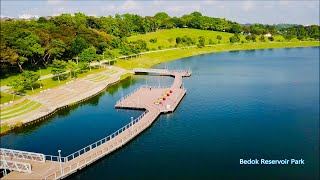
(163,37)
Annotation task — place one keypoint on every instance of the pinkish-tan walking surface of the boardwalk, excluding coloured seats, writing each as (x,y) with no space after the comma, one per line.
(51,169)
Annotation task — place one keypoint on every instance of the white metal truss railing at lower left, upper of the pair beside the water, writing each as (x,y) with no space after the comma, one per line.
(22,155)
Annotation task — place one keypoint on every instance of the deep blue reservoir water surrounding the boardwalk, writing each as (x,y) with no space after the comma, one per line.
(259,104)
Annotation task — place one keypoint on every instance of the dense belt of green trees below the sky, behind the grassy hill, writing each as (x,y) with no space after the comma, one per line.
(36,43)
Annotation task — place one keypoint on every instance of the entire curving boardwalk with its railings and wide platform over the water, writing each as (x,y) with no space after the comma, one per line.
(154,100)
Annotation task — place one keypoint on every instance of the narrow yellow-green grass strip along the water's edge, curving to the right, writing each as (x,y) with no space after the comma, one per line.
(149,60)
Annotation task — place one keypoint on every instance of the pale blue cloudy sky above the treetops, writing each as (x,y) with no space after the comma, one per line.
(267,12)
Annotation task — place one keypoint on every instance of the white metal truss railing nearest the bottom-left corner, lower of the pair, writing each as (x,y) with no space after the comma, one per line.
(15,166)
